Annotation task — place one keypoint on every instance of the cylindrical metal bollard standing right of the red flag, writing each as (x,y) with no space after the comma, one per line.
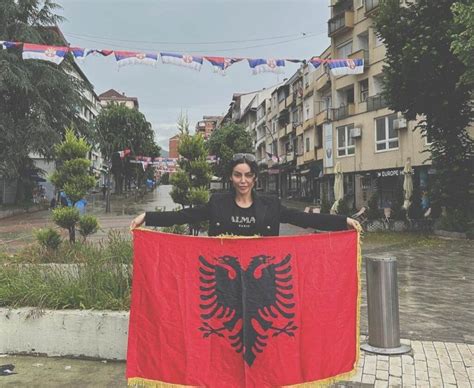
(382,306)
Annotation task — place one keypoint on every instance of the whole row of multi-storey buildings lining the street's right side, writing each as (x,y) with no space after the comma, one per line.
(315,120)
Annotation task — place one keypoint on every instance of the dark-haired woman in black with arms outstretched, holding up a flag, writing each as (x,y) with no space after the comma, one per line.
(244,213)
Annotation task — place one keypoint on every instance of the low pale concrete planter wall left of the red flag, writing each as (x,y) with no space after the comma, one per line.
(75,333)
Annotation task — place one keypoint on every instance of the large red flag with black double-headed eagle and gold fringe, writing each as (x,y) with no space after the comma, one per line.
(243,312)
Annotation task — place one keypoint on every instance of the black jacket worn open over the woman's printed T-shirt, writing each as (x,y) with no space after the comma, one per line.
(269,214)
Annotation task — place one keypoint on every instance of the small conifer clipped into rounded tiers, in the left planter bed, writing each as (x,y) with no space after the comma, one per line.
(73,177)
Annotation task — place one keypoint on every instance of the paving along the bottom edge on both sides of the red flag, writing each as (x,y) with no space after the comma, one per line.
(429,364)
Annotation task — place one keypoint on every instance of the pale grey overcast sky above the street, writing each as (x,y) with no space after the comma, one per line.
(194,27)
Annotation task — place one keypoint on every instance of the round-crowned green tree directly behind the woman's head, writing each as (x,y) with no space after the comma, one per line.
(226,141)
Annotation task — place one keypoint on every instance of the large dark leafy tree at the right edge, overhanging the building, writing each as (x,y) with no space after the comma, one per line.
(422,79)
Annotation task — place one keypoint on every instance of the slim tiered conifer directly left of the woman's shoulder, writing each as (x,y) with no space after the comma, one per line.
(191,181)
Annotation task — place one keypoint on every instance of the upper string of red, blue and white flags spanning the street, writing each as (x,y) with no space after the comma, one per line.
(220,65)
